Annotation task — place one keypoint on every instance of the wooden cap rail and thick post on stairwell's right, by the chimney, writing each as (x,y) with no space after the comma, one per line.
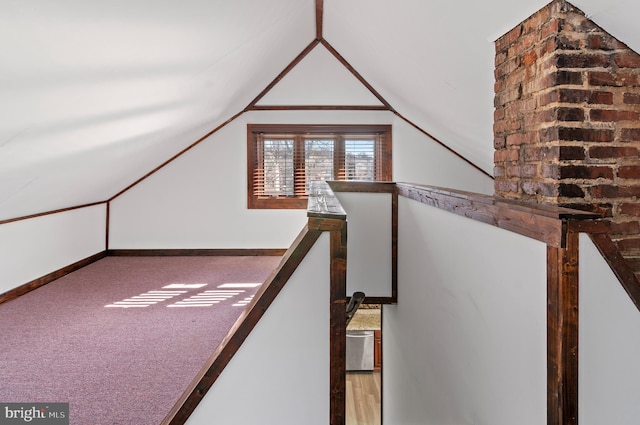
(559,229)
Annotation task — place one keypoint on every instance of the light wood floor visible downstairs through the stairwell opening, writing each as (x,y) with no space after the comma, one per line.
(363,398)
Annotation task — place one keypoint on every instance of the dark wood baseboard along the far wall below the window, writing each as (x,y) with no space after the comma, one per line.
(196,252)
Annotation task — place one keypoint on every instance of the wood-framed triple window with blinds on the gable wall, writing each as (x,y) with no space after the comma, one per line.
(283,159)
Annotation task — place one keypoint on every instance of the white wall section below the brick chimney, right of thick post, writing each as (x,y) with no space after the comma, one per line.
(609,345)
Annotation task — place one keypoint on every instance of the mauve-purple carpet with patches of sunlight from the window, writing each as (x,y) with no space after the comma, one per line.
(121,339)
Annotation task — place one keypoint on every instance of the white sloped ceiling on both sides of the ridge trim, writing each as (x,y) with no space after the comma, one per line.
(93,95)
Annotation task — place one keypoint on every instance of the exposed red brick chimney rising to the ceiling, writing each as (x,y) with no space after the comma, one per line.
(566,122)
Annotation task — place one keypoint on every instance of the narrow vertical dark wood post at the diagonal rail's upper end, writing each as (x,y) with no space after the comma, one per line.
(338,326)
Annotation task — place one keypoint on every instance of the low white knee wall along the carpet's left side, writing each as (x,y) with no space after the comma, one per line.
(35,247)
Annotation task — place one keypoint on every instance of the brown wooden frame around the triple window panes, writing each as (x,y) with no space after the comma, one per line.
(382,157)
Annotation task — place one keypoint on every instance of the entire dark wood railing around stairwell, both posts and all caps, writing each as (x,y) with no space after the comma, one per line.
(557,227)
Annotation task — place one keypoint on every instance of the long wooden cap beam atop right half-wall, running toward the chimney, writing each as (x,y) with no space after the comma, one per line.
(545,223)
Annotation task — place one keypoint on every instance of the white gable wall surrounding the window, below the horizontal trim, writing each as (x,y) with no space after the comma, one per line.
(200,199)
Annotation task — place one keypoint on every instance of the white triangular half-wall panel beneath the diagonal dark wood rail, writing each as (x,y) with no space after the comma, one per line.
(280,375)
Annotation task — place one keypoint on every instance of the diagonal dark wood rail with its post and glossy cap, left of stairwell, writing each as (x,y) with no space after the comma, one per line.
(325,214)
